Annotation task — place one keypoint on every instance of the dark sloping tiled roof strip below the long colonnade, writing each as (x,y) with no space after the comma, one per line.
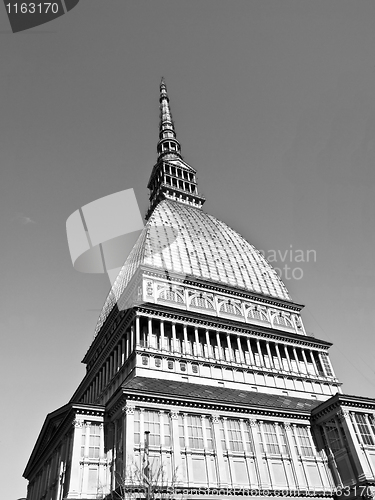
(221,395)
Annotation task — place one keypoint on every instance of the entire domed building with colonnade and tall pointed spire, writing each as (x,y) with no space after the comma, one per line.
(200,343)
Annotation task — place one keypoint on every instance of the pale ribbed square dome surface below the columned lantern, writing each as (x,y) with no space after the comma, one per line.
(185,240)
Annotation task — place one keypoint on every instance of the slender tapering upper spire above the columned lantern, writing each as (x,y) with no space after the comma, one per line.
(168,145)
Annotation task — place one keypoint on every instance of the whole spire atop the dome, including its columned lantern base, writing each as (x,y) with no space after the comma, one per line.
(171,178)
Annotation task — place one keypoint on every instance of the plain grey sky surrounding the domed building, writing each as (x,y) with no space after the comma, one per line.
(274,105)
